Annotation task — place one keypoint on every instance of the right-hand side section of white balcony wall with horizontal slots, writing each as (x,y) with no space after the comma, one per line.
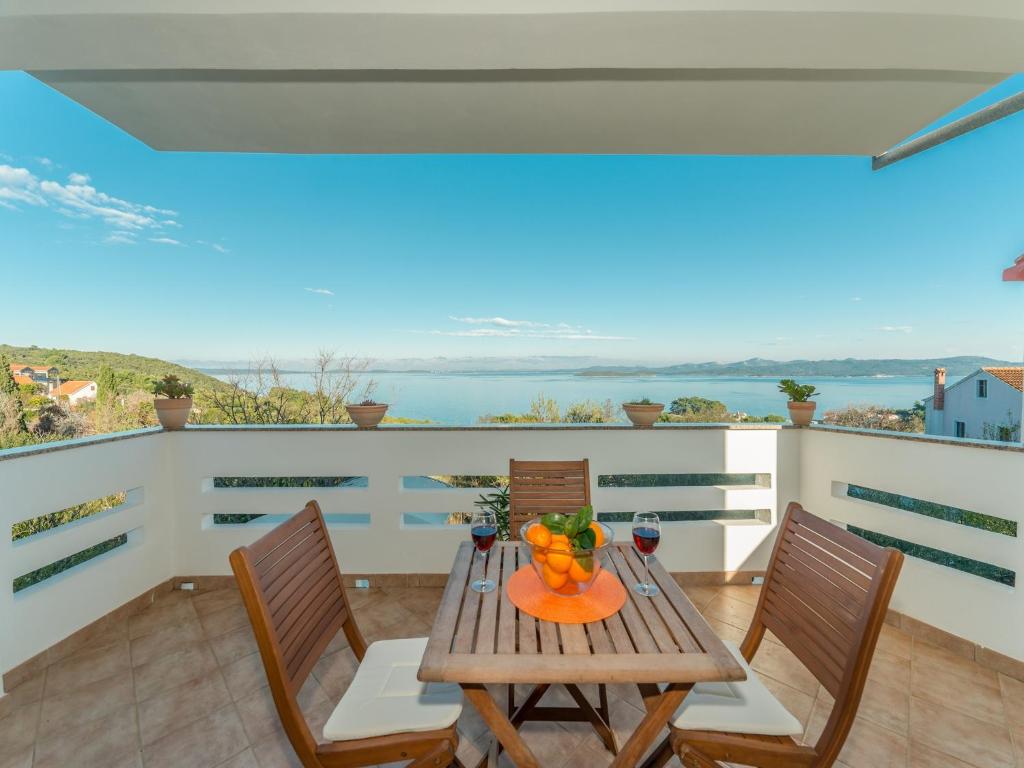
(973,478)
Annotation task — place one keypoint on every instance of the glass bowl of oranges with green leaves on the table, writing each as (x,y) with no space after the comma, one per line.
(567,550)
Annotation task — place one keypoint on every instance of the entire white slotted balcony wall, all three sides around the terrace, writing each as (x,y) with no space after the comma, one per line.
(169,511)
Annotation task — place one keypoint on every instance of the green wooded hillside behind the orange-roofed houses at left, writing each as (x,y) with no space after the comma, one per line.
(75,364)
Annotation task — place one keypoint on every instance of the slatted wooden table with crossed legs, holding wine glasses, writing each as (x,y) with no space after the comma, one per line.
(485,639)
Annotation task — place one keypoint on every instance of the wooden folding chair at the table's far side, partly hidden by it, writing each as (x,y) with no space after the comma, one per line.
(535,490)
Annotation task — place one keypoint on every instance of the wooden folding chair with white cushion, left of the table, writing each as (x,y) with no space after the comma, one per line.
(293,592)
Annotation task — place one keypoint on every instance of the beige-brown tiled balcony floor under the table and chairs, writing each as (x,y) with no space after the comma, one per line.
(182,685)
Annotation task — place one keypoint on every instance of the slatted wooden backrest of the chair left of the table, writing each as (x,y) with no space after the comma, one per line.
(292,589)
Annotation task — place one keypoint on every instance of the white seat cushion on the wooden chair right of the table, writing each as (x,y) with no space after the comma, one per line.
(746,707)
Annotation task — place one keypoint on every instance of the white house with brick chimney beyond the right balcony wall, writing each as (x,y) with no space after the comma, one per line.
(986,405)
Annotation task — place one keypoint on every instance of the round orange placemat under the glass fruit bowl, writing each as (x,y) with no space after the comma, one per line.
(606,598)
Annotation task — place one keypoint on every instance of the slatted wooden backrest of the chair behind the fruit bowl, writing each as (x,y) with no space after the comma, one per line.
(539,488)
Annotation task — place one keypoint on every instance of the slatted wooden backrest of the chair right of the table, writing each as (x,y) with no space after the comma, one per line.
(826,598)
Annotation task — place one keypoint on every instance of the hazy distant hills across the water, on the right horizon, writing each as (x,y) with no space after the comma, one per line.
(840,368)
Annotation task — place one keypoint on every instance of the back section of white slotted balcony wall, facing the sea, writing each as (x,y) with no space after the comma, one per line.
(385,457)
